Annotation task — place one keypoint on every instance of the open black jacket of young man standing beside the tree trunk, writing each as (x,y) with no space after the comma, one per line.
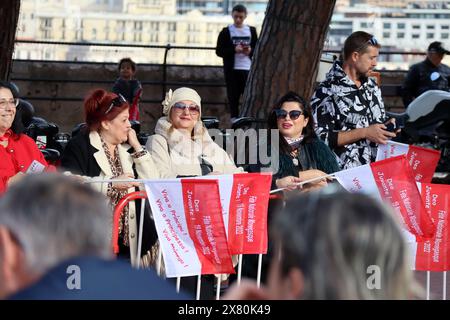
(225,48)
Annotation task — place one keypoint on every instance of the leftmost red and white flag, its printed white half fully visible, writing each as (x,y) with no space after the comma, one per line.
(188,219)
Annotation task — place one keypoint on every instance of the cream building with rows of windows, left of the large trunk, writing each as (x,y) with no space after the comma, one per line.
(138,22)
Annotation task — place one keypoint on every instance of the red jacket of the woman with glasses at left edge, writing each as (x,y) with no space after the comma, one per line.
(18,156)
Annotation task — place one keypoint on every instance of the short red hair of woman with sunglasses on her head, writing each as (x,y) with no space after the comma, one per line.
(97,104)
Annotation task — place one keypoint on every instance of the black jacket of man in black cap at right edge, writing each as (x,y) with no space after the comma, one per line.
(418,80)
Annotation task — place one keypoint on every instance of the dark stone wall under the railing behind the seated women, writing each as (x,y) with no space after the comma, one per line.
(57,89)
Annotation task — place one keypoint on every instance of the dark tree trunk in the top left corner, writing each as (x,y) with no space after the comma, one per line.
(9,13)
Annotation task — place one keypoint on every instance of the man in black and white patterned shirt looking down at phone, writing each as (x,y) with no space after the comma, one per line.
(348,107)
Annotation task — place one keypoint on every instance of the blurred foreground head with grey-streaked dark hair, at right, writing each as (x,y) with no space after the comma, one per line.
(335,245)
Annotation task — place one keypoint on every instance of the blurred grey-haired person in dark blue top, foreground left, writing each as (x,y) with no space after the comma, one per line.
(55,236)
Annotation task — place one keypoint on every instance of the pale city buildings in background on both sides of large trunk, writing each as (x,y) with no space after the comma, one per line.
(398,25)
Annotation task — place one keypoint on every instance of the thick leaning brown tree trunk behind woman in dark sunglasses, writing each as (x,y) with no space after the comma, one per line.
(287,54)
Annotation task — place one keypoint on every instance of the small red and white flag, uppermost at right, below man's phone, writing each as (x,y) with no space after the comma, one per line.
(423,161)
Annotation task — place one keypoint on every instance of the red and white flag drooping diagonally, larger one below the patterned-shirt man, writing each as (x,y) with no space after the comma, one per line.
(391,180)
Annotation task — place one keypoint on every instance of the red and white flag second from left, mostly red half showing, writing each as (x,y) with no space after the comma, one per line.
(245,202)
